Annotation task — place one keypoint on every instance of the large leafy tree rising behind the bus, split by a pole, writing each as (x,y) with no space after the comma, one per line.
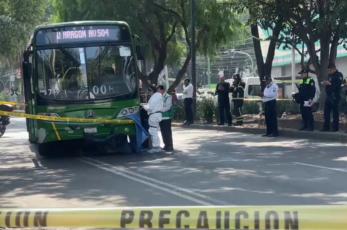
(162,25)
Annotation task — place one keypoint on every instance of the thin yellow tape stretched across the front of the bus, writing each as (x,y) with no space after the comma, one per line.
(67,119)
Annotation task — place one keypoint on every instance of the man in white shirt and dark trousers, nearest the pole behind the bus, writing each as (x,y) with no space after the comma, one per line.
(188,101)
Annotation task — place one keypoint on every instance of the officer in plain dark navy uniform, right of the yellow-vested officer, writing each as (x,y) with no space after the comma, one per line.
(333,96)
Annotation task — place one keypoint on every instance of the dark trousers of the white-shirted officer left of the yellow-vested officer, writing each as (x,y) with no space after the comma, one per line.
(271,117)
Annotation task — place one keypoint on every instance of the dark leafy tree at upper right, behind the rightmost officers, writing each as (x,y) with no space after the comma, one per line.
(320,24)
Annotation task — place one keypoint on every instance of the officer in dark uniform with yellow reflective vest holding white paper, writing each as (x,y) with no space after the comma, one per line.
(307,91)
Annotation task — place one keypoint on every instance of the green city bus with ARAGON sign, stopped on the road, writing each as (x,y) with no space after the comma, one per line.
(83,69)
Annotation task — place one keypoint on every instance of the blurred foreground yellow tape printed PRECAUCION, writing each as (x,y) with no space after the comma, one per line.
(223,217)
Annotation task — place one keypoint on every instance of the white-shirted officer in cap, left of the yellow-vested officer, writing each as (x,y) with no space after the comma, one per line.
(269,99)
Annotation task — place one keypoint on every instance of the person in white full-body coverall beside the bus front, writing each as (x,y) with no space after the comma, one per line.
(154,109)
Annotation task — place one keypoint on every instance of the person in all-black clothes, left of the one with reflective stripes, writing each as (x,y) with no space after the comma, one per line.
(222,90)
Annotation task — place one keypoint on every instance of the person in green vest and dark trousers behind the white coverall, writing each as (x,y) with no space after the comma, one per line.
(165,124)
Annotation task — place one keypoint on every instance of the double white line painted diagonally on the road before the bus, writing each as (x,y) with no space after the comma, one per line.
(154,183)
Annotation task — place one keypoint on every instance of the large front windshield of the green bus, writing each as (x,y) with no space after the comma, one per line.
(86,73)
